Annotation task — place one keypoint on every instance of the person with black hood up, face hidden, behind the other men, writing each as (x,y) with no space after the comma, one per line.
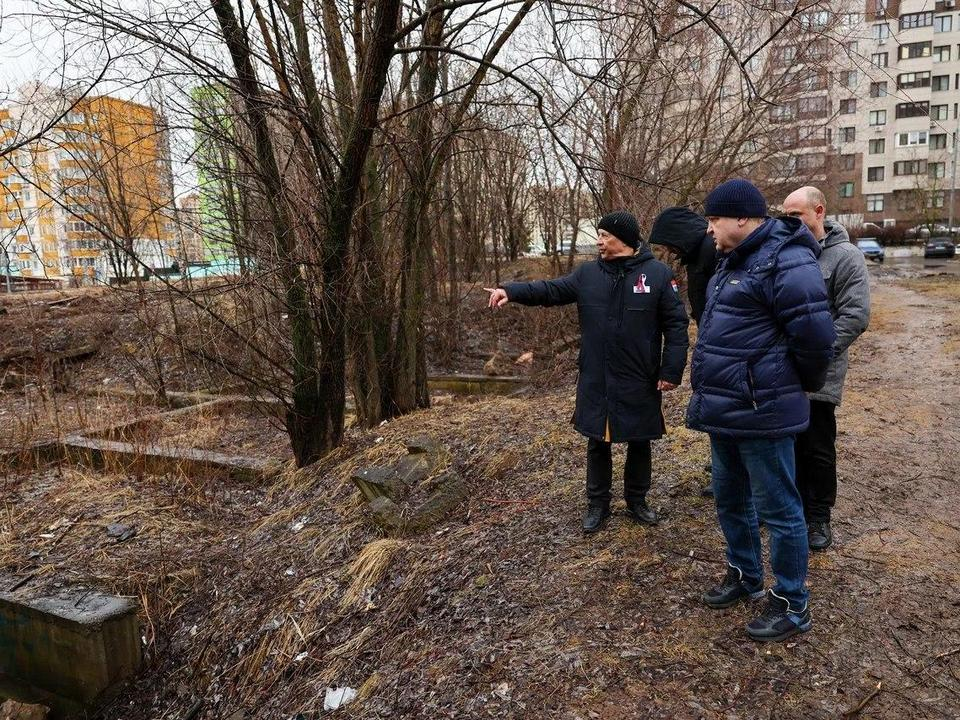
(684,233)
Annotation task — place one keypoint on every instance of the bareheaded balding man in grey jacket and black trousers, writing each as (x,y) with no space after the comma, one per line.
(848,288)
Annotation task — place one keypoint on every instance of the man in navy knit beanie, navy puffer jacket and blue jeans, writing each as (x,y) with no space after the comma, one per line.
(765,339)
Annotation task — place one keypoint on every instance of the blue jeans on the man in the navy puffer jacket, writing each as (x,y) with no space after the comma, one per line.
(758,476)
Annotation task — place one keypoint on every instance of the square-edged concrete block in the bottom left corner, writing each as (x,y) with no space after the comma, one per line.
(69,652)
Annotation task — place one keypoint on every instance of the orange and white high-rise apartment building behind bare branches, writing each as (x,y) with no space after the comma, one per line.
(89,200)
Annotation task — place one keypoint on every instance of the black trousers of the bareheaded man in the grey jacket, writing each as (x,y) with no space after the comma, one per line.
(816,455)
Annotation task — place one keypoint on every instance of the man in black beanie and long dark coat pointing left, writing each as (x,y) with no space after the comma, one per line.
(633,347)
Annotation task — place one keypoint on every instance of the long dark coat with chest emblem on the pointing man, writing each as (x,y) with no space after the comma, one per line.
(633,329)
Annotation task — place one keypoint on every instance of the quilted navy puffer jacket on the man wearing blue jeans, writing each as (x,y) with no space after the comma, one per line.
(766,336)
